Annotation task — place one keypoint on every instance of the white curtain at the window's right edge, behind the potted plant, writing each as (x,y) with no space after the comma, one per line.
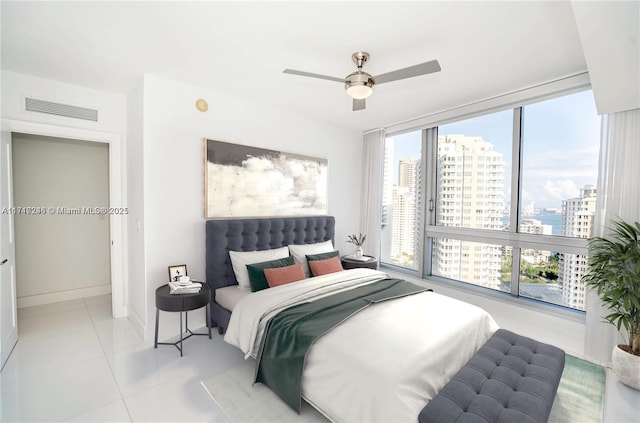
(618,197)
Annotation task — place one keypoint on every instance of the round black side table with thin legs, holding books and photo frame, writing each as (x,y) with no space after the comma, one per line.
(182,303)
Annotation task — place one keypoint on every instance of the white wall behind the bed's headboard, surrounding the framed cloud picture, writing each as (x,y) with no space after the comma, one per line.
(173,169)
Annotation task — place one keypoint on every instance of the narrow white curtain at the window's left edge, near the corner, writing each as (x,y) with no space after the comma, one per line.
(370,211)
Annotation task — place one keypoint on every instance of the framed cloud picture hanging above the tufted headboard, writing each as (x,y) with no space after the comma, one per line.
(244,181)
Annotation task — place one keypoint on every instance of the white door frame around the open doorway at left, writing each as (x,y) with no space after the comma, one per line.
(117,196)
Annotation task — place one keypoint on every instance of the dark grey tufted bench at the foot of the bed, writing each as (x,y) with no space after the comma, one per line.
(512,378)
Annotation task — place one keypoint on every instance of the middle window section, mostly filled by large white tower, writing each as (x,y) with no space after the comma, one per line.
(471,161)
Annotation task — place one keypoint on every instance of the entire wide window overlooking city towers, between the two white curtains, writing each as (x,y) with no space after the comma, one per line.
(509,199)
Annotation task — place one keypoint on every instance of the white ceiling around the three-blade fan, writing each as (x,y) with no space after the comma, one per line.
(241,48)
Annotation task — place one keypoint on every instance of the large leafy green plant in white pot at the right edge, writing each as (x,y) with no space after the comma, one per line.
(613,271)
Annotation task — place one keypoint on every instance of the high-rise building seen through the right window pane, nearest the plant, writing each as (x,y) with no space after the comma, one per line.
(577,221)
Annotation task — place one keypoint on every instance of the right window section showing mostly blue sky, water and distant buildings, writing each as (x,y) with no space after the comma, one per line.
(559,173)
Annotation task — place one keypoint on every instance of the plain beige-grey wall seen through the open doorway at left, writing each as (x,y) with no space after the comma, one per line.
(60,252)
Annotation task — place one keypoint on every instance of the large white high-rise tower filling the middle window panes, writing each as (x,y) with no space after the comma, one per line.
(470,195)
